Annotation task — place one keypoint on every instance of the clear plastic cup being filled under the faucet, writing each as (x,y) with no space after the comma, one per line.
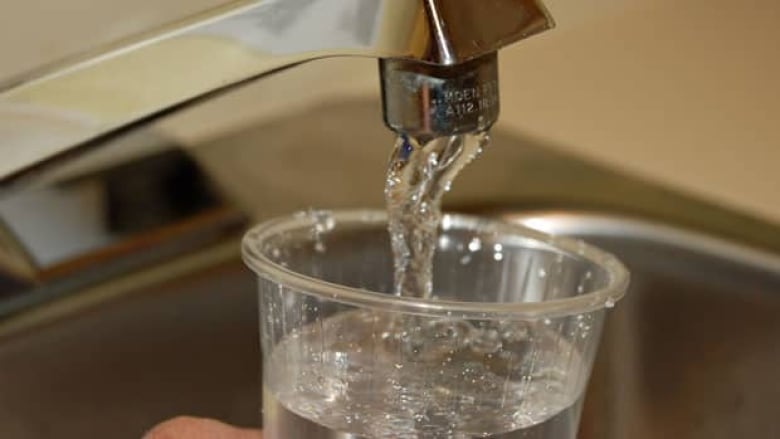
(504,349)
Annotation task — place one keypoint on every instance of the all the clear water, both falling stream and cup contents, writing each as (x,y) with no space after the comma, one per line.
(367,374)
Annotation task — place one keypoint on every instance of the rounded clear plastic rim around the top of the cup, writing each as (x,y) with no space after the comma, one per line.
(264,267)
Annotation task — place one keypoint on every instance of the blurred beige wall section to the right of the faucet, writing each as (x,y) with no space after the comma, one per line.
(682,91)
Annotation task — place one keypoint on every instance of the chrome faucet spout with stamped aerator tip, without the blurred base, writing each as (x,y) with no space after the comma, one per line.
(438,68)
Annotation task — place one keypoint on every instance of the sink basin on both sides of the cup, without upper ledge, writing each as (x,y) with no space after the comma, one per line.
(691,352)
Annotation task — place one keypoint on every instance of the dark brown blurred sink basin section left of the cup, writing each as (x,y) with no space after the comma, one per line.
(184,345)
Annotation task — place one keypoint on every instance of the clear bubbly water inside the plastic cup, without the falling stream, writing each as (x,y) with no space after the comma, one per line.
(437,379)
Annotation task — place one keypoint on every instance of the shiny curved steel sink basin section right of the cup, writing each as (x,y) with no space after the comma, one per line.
(692,350)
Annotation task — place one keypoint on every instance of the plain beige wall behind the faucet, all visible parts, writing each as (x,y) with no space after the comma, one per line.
(684,92)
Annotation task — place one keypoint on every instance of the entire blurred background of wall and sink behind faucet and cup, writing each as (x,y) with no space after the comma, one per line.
(646,126)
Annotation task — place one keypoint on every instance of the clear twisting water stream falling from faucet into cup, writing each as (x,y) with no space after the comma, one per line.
(419,174)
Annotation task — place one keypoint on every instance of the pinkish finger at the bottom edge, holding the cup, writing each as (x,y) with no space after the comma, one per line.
(185,427)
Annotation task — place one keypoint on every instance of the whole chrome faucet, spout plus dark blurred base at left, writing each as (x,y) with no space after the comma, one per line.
(438,74)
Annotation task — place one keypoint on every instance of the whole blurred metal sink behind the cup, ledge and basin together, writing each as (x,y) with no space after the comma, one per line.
(692,351)
